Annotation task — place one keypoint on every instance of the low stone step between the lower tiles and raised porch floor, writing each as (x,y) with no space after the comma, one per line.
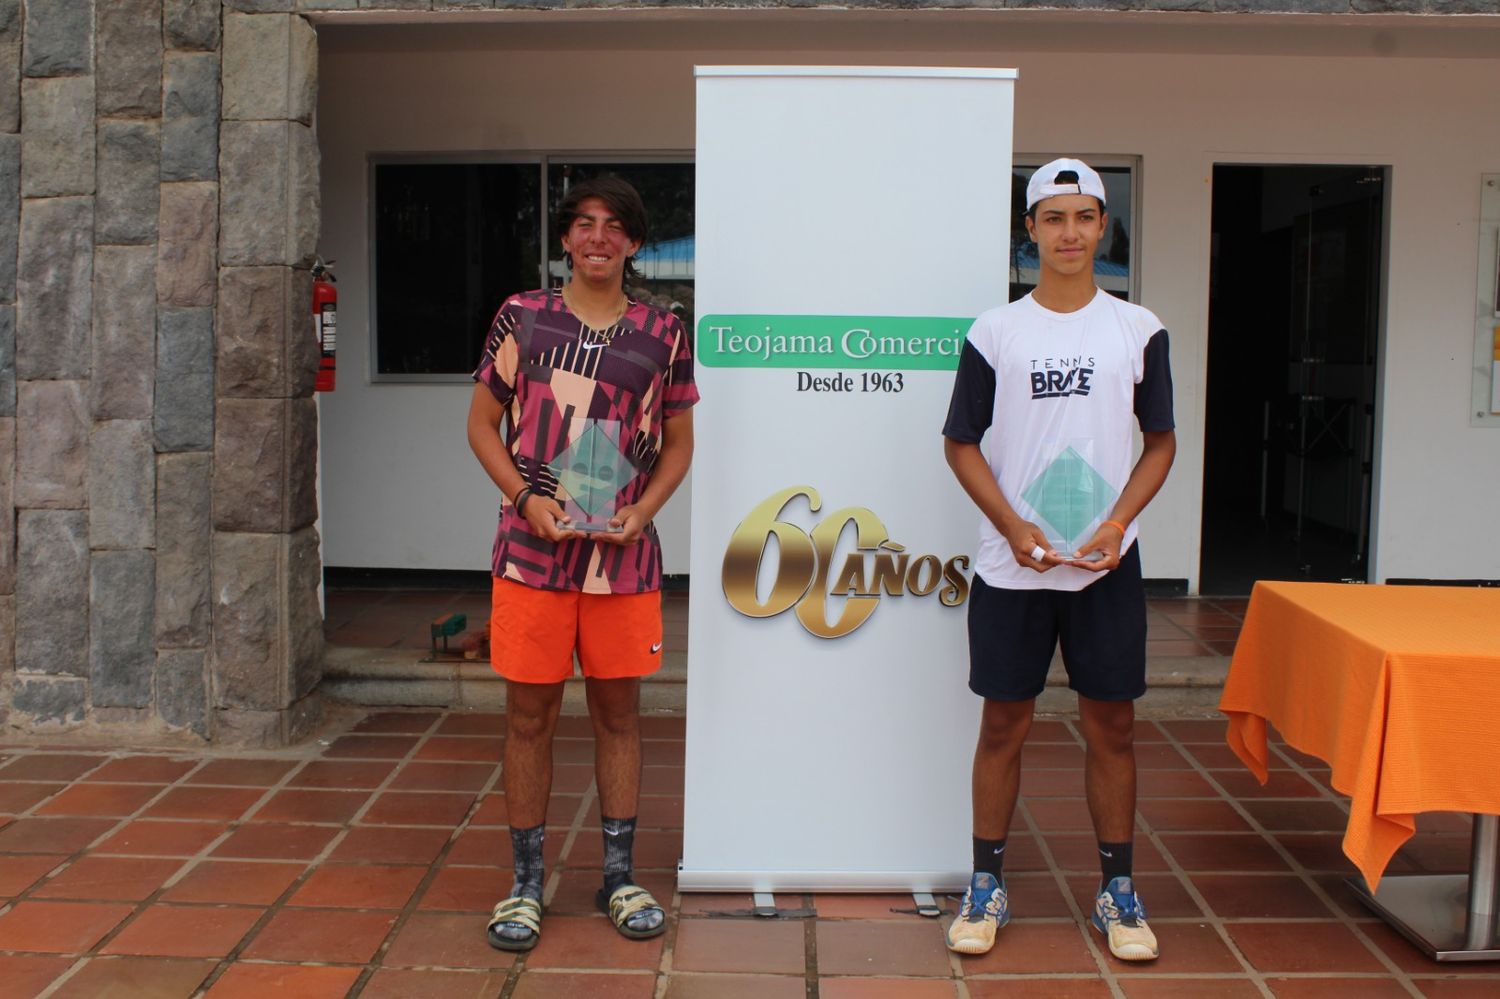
(1181,686)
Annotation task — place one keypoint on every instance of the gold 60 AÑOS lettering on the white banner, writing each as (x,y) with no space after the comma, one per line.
(877,568)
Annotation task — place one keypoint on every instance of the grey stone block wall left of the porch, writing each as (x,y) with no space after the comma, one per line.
(158,434)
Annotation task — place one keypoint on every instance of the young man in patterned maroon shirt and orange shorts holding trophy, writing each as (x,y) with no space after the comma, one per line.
(583,418)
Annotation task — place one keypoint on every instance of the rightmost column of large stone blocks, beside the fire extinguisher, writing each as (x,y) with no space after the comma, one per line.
(268,634)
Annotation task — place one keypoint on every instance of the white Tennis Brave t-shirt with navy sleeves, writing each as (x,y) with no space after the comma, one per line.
(1057,394)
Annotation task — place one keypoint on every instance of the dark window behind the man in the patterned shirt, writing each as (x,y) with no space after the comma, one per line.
(454,241)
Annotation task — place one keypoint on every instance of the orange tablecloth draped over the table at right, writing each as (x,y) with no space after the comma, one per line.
(1397,688)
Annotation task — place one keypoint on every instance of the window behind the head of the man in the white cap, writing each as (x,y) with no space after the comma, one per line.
(1114,263)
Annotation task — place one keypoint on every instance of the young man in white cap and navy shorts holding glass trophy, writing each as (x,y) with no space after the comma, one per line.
(1055,382)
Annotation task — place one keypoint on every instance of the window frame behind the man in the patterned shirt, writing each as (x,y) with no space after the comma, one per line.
(542,161)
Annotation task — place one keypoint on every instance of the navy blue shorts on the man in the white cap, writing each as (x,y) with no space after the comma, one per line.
(1013,635)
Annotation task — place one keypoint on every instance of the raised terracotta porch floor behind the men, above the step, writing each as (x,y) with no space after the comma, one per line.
(374,617)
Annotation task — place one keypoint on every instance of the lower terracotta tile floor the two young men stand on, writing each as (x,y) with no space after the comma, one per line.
(365,863)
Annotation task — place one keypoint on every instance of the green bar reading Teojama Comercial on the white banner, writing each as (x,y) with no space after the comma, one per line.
(902,343)
